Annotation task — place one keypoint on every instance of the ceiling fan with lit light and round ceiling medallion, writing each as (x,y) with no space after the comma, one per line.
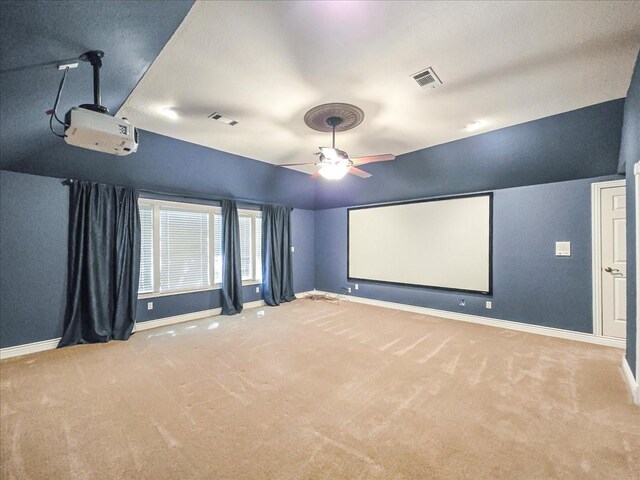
(335,163)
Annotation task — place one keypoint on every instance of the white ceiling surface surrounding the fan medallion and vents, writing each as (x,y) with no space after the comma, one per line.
(265,64)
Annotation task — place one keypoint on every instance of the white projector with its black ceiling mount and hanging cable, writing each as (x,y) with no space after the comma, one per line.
(90,125)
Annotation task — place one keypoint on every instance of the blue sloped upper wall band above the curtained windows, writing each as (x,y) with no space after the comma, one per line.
(179,168)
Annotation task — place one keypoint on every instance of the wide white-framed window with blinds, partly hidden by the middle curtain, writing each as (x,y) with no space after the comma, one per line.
(181,247)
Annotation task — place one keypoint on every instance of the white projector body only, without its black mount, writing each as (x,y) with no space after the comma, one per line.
(100,131)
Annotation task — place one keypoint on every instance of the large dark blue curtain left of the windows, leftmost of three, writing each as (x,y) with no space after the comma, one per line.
(104,263)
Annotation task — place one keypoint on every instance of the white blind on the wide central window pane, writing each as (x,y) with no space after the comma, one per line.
(184,249)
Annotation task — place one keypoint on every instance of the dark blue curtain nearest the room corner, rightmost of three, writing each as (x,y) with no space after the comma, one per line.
(277,273)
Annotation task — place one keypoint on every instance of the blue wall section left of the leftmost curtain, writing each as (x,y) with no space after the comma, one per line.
(34,214)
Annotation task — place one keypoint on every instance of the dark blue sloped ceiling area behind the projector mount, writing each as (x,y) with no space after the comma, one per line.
(35,35)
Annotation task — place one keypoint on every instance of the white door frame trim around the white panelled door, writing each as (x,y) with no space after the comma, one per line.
(596,230)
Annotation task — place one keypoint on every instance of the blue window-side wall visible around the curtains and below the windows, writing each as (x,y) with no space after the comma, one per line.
(34,213)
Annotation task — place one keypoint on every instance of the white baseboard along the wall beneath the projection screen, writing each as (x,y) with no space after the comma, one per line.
(465,317)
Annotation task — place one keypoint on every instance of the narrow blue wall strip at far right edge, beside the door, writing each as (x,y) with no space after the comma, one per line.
(629,156)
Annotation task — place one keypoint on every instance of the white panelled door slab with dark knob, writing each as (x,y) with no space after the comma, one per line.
(613,255)
